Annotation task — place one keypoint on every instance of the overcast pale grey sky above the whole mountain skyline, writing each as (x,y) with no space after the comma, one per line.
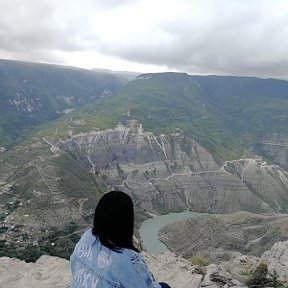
(225,37)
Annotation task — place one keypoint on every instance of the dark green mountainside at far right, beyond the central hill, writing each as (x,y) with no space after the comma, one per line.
(248,105)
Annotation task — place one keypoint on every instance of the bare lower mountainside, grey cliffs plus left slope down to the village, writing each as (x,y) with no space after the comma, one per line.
(162,173)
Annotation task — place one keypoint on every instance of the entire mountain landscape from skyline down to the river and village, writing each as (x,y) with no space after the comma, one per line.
(171,140)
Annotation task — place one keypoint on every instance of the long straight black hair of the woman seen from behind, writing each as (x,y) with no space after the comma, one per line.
(114,221)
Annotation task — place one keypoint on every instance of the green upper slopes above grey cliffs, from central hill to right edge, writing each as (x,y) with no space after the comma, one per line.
(225,114)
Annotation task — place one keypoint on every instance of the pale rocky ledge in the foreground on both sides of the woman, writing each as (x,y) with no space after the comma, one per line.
(54,272)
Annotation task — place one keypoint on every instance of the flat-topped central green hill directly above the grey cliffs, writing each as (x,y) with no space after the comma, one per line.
(162,103)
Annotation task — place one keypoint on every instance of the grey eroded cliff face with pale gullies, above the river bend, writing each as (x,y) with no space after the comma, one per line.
(173,172)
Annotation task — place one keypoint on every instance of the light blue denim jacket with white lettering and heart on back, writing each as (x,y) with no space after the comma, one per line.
(95,266)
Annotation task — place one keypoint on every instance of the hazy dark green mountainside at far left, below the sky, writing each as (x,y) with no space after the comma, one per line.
(32,94)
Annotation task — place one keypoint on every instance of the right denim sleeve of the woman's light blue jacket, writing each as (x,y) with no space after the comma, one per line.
(138,274)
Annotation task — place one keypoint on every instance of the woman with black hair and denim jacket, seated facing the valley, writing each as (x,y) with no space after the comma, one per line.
(105,255)
